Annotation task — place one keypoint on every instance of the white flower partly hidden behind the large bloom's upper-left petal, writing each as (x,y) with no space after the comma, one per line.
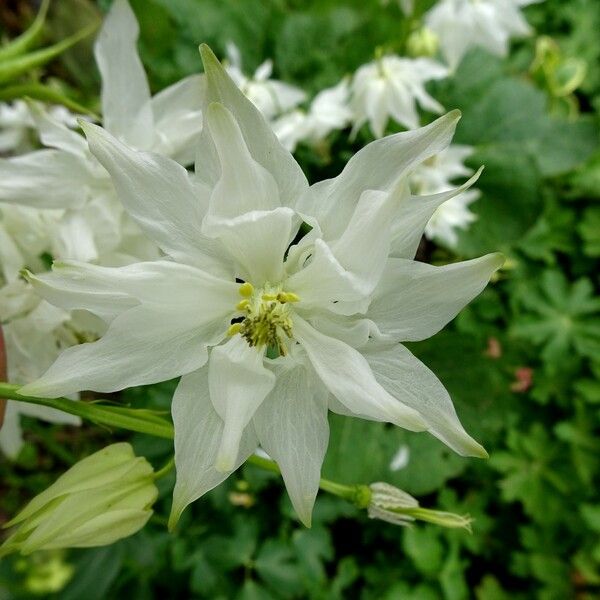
(65,176)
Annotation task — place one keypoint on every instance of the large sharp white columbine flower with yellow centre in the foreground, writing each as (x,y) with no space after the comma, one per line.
(269,328)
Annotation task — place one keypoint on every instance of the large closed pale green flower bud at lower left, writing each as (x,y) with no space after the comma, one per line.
(101,499)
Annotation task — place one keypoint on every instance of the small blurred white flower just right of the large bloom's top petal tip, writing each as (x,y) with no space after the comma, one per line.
(270,96)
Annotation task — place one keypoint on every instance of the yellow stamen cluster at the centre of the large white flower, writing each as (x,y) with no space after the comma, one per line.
(266,321)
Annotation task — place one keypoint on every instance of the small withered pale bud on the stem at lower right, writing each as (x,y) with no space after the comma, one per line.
(390,504)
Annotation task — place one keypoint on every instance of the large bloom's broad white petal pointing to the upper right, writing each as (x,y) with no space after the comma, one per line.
(378,166)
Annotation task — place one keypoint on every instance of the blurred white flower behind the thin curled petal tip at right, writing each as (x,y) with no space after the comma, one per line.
(436,175)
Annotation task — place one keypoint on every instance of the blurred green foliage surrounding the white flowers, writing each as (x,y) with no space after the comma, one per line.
(521,363)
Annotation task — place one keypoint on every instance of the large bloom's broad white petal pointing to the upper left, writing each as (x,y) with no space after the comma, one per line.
(160,196)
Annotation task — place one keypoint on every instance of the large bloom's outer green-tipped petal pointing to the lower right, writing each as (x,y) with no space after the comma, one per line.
(410,381)
